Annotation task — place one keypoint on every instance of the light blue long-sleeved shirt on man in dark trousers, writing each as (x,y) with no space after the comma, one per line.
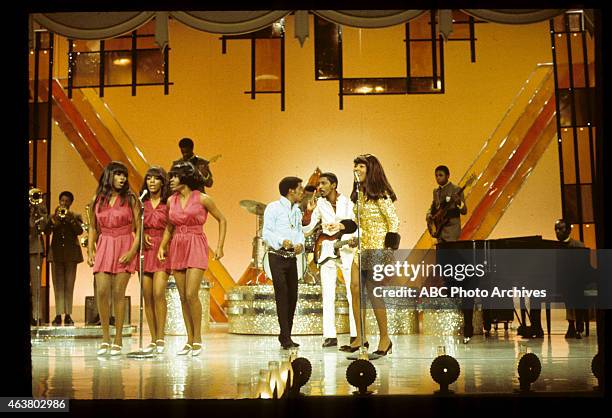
(282,221)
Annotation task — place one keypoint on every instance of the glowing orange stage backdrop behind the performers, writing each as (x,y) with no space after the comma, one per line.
(410,134)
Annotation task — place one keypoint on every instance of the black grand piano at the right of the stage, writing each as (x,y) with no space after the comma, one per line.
(529,263)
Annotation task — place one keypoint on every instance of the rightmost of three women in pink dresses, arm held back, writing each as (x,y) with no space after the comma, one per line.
(188,253)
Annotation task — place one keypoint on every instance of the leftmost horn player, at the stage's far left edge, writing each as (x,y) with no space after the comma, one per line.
(38,220)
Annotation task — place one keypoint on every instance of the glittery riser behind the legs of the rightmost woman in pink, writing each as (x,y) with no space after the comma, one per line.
(175,325)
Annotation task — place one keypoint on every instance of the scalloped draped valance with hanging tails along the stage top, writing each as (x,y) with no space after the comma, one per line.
(104,25)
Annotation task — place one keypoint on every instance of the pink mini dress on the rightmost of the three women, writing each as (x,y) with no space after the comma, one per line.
(189,246)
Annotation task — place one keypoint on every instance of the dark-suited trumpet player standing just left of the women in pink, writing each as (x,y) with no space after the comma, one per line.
(64,255)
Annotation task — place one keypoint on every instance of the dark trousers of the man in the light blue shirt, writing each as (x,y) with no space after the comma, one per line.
(284,279)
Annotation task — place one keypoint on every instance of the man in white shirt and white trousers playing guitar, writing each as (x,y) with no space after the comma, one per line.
(329,210)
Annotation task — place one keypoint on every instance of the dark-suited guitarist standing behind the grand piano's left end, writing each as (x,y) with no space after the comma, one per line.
(452,195)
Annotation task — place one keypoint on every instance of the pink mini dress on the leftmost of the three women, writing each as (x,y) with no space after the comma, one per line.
(116,227)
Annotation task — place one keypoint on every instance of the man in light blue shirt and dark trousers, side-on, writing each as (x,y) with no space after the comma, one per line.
(282,232)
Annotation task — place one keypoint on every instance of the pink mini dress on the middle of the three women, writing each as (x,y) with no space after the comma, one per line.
(155,221)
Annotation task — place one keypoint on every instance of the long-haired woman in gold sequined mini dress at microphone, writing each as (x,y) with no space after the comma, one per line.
(379,227)
